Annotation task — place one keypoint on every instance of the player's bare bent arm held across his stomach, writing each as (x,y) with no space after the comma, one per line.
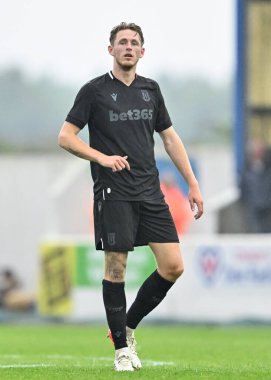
(69,140)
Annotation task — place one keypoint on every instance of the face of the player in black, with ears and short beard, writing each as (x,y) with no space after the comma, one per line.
(127,49)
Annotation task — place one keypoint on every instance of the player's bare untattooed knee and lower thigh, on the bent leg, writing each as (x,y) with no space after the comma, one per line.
(169,259)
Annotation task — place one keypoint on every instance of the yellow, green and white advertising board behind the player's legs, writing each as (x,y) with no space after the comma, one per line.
(71,273)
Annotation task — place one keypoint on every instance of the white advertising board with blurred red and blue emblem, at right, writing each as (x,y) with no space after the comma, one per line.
(226,279)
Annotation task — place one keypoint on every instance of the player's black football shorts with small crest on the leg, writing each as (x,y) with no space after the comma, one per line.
(122,225)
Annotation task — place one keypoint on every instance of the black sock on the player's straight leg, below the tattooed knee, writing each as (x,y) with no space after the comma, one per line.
(115,307)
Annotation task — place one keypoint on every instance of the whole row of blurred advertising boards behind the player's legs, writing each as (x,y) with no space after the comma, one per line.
(227,279)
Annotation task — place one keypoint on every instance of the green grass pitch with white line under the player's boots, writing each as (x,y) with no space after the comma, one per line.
(185,352)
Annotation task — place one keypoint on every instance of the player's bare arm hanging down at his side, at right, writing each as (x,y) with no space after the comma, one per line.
(177,152)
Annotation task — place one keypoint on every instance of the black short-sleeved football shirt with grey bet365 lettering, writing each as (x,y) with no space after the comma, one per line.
(121,121)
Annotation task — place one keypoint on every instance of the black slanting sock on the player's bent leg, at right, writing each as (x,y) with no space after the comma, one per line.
(151,293)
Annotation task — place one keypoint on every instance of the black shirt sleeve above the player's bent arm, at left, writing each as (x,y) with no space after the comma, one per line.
(79,114)
